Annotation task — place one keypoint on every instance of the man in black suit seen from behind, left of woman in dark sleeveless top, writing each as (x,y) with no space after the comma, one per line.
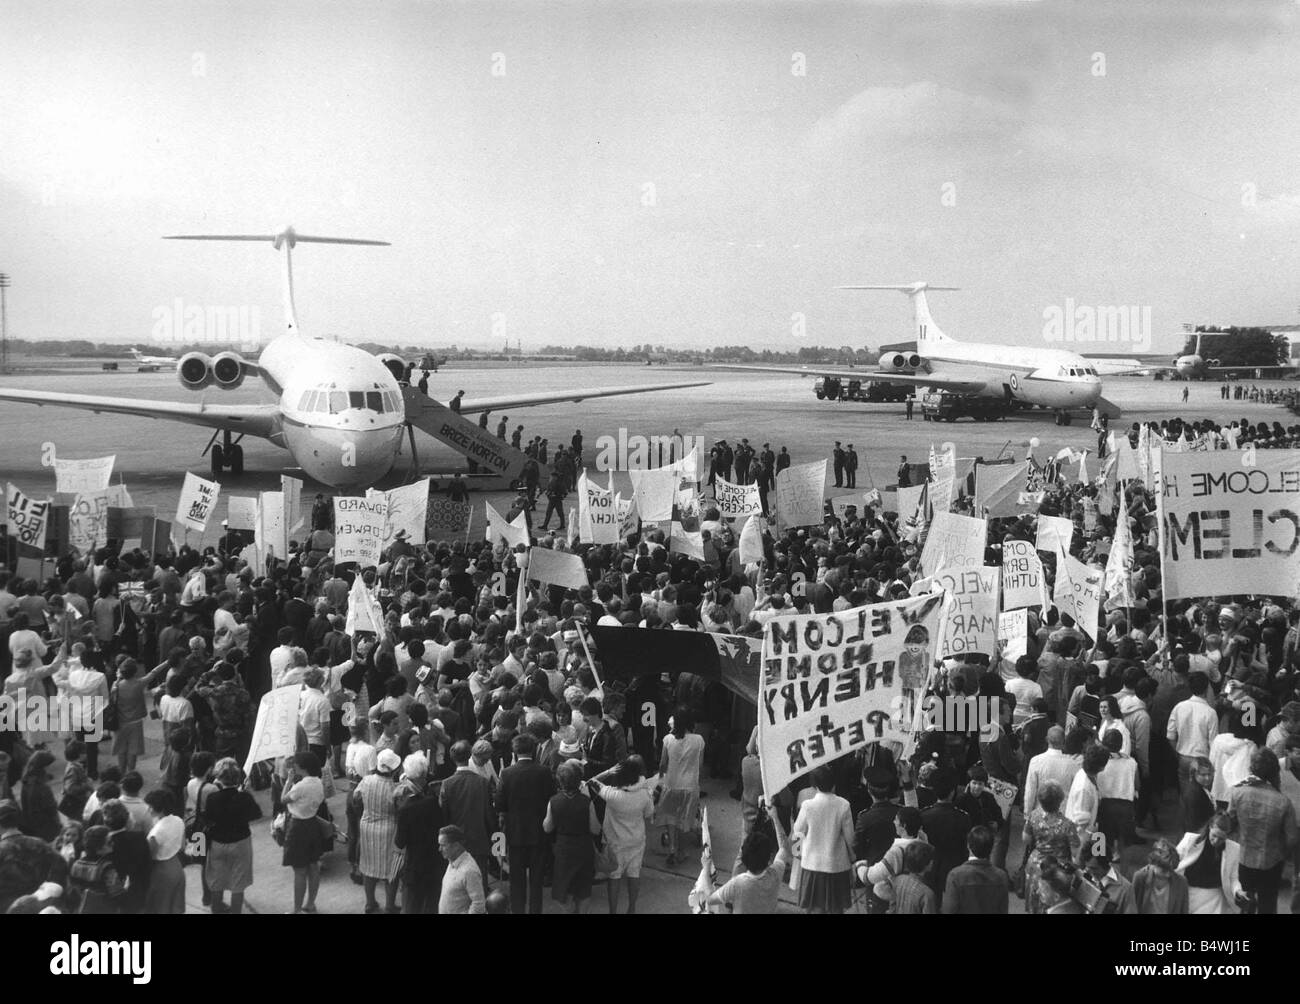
(526,790)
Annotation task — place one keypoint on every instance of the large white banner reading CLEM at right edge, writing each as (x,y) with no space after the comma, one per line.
(1230,523)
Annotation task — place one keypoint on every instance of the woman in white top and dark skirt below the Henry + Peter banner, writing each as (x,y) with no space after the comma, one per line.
(824,838)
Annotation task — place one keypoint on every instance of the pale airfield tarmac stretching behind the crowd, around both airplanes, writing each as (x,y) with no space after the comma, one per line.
(154,456)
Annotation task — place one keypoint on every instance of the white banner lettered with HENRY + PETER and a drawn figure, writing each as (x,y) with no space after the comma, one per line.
(834,683)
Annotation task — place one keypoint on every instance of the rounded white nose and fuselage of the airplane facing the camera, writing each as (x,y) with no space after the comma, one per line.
(341,412)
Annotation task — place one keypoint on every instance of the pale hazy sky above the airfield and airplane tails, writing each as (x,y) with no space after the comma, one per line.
(670,174)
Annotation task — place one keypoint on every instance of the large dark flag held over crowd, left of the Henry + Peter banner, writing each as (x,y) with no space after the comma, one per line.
(731,660)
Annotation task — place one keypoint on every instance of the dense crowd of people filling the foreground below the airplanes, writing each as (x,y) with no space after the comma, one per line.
(483,759)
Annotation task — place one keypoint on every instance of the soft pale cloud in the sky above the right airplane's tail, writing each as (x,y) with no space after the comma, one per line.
(920,112)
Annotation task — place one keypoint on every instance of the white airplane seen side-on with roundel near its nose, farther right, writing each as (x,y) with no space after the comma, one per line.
(1046,378)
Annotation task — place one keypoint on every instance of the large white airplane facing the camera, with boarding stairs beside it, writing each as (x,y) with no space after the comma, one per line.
(339,410)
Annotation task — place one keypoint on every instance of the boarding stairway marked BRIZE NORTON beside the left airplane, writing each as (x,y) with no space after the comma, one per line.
(500,466)
